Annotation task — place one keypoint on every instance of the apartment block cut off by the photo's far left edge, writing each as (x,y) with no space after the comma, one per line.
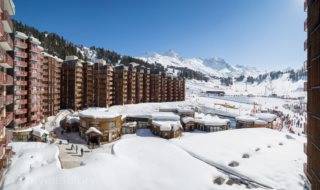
(7,9)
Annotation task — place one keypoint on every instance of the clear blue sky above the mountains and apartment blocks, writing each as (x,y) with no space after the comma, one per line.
(267,34)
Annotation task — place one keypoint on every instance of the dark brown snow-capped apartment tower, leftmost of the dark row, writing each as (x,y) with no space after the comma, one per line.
(72,83)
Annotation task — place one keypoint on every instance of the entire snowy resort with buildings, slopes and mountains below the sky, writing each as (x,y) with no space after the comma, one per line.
(74,117)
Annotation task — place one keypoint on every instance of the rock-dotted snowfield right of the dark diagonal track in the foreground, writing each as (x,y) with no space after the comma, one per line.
(265,155)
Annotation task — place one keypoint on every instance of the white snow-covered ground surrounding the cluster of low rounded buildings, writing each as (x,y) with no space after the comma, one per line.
(194,161)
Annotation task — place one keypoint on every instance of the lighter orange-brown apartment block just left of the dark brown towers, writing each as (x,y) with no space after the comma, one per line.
(51,70)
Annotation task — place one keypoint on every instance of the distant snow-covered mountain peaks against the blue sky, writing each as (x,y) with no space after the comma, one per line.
(212,66)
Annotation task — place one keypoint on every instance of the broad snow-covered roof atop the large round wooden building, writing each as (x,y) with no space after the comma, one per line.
(98,113)
